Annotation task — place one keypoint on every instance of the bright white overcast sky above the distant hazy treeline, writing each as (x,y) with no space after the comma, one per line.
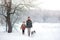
(50,4)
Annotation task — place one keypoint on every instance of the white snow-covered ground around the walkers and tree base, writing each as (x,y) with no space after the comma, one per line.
(44,31)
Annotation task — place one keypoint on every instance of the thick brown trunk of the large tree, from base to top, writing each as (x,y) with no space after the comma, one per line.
(8,16)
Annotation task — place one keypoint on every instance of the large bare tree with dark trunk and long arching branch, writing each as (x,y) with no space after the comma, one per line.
(6,12)
